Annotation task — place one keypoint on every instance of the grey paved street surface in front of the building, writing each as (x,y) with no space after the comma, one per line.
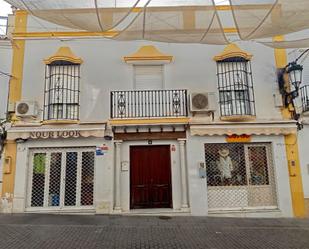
(96,231)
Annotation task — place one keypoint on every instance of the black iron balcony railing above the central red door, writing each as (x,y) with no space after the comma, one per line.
(149,104)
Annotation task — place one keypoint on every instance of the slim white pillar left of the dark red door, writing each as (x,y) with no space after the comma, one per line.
(117,206)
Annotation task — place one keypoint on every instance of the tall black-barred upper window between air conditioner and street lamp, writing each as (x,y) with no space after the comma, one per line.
(235,85)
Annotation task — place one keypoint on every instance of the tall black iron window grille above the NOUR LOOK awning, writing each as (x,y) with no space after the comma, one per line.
(62,88)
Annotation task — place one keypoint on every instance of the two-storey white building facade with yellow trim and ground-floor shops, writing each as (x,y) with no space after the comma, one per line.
(105,126)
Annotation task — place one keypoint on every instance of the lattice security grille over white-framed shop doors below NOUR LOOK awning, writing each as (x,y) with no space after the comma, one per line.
(61,178)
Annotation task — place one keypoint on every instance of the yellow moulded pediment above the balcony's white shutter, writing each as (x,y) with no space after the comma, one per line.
(147,53)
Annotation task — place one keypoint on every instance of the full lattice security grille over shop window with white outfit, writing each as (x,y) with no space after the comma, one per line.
(240,176)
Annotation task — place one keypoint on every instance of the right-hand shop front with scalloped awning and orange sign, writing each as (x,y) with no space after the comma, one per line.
(246,173)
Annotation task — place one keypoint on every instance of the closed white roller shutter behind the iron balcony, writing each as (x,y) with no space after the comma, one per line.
(148,77)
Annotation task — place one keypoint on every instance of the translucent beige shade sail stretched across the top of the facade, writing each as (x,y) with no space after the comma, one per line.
(183,21)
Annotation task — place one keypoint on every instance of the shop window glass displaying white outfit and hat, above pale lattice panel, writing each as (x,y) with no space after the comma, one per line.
(236,165)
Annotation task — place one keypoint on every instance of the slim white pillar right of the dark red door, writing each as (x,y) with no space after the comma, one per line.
(183,168)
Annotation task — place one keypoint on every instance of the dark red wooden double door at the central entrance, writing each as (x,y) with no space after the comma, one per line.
(150,177)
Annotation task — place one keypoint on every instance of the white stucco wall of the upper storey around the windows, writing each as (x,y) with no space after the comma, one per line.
(103,70)
